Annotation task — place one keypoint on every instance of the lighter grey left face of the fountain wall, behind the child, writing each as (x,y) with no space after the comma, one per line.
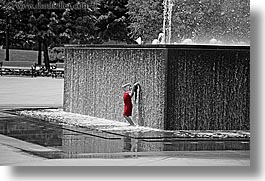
(94,76)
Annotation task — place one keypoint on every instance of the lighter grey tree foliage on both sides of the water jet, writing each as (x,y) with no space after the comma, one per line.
(199,20)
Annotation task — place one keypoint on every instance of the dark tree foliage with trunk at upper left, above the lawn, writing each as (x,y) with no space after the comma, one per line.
(50,27)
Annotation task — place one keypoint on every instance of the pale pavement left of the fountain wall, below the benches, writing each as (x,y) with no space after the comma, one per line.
(30,92)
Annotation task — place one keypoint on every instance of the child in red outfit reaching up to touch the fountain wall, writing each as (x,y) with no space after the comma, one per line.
(127,97)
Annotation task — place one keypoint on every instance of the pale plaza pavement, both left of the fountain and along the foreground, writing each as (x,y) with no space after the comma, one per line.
(16,92)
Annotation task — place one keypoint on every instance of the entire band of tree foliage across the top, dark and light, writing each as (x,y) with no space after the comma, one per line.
(123,21)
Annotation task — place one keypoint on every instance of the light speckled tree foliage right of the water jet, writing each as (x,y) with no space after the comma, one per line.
(203,20)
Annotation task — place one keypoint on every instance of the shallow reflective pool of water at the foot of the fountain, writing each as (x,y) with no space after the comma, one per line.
(76,142)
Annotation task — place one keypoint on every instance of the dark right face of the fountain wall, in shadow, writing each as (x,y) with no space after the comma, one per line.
(208,88)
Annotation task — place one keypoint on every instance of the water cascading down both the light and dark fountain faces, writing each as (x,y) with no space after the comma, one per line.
(183,87)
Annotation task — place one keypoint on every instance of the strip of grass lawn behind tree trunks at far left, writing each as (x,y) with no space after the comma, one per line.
(20,55)
